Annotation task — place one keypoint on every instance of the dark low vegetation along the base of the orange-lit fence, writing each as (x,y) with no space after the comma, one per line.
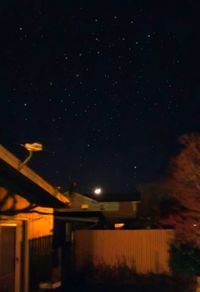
(123,278)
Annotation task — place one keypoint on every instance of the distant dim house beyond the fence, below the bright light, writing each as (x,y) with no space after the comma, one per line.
(105,212)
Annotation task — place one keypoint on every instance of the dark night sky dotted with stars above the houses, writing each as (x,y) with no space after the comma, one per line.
(106,88)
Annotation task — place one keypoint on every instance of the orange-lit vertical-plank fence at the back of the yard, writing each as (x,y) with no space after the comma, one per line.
(146,251)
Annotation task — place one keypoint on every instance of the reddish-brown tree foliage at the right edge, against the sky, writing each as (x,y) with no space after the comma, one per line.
(184,185)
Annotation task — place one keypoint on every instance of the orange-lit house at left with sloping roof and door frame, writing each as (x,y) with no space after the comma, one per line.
(27,202)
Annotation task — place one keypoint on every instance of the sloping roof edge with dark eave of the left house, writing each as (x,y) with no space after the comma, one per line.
(27,183)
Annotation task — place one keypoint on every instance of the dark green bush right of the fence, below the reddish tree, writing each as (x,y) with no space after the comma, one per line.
(184,259)
